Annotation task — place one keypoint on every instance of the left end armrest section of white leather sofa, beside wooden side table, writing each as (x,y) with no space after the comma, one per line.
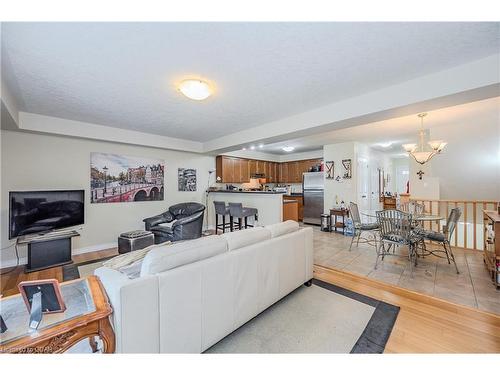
(135,316)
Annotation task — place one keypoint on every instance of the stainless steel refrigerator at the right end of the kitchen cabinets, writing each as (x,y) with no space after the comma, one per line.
(313,184)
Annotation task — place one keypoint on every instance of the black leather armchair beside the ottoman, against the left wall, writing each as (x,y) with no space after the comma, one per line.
(188,224)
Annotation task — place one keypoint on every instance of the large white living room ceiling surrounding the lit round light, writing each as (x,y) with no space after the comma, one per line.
(124,74)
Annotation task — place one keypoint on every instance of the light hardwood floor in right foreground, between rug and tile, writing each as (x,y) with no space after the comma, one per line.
(425,324)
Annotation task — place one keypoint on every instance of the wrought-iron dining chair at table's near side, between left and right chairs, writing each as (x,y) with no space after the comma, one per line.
(396,231)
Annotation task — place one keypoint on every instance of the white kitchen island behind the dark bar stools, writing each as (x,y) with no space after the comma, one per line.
(268,203)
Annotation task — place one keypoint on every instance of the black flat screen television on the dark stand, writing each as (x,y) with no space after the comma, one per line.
(32,212)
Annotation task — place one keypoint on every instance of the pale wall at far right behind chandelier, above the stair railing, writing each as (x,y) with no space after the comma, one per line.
(469,168)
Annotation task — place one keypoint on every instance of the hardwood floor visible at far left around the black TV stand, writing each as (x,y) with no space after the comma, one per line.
(9,280)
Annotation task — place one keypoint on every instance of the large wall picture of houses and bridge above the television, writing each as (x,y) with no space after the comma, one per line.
(118,178)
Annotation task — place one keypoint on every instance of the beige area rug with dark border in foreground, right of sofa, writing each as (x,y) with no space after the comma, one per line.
(323,318)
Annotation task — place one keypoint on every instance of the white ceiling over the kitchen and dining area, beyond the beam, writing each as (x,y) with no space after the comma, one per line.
(389,135)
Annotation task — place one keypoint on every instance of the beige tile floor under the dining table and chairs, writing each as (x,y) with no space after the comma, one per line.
(432,276)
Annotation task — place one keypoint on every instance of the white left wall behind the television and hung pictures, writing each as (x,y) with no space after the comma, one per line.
(42,162)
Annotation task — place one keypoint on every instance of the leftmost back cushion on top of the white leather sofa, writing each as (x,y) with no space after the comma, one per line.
(164,258)
